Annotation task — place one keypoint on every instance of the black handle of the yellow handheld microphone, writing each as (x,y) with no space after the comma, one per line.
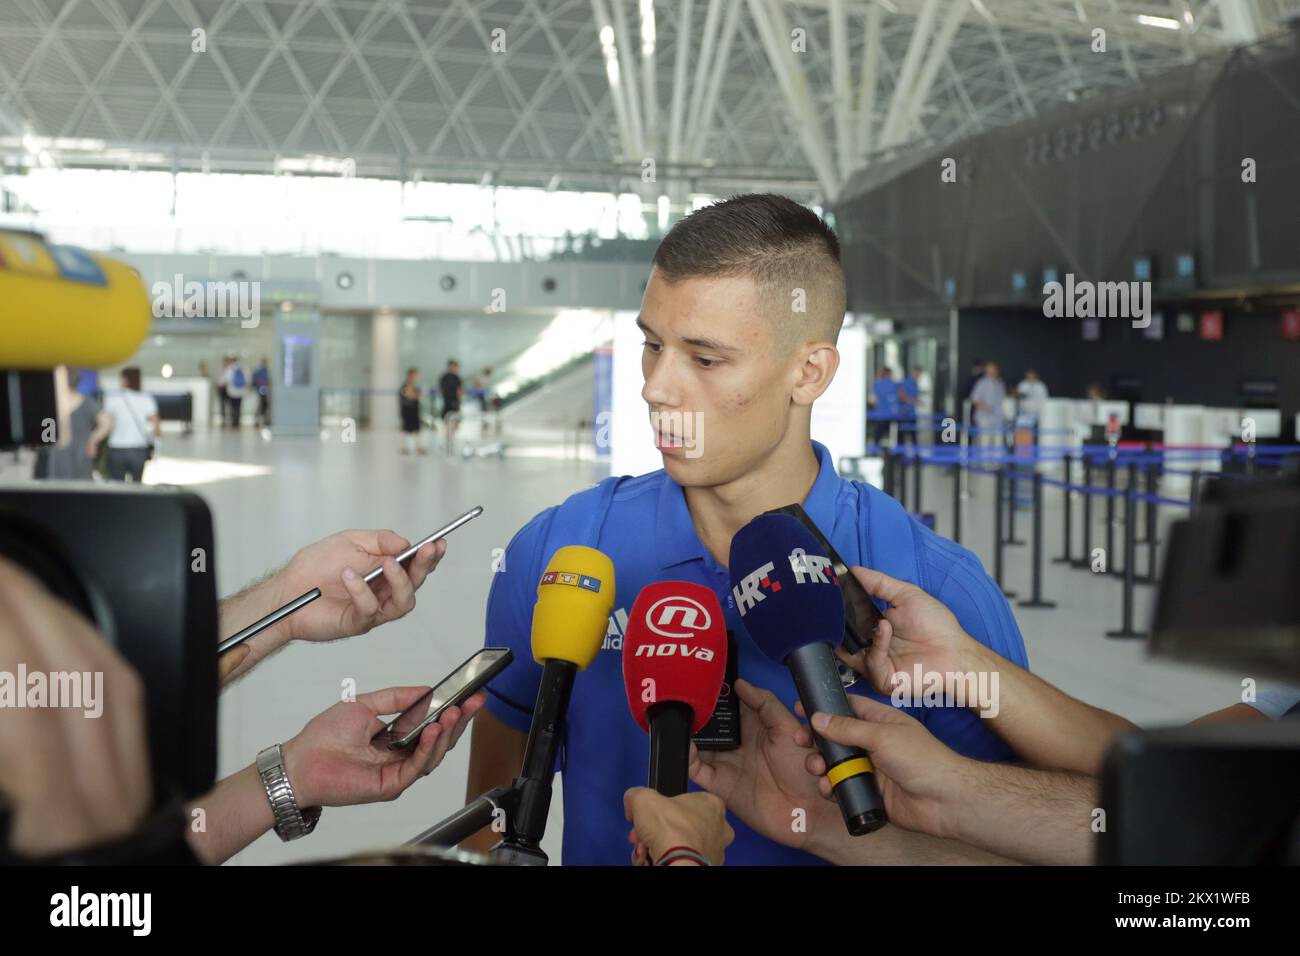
(545,736)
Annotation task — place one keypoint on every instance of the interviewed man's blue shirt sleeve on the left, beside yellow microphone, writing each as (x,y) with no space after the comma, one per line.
(510,625)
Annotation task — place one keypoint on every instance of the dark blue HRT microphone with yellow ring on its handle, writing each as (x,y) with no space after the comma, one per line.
(790,599)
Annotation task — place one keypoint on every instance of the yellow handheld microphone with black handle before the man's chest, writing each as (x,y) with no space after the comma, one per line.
(575,598)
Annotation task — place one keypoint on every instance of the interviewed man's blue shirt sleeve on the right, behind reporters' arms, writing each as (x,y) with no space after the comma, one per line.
(960,582)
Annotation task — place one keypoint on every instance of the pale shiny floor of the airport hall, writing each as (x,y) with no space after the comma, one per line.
(301,490)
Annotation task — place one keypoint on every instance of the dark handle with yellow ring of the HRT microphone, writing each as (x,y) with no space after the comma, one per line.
(852,778)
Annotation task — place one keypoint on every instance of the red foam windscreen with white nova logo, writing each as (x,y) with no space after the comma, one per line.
(675,650)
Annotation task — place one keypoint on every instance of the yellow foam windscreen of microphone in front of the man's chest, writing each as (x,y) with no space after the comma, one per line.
(574,603)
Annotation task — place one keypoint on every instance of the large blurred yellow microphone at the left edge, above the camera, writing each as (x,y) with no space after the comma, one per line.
(63,306)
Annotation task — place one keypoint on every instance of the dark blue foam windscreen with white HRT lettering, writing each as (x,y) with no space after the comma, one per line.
(785,587)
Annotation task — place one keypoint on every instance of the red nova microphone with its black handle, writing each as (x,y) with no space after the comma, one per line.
(674,661)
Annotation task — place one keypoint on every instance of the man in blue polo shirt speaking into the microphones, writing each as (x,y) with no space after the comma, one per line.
(731,375)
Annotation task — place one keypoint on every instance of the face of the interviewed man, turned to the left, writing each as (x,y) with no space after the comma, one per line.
(717,386)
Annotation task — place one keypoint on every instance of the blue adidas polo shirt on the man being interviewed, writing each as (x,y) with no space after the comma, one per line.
(649,537)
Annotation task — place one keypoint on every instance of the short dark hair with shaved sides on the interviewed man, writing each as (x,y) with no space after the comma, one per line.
(778,243)
